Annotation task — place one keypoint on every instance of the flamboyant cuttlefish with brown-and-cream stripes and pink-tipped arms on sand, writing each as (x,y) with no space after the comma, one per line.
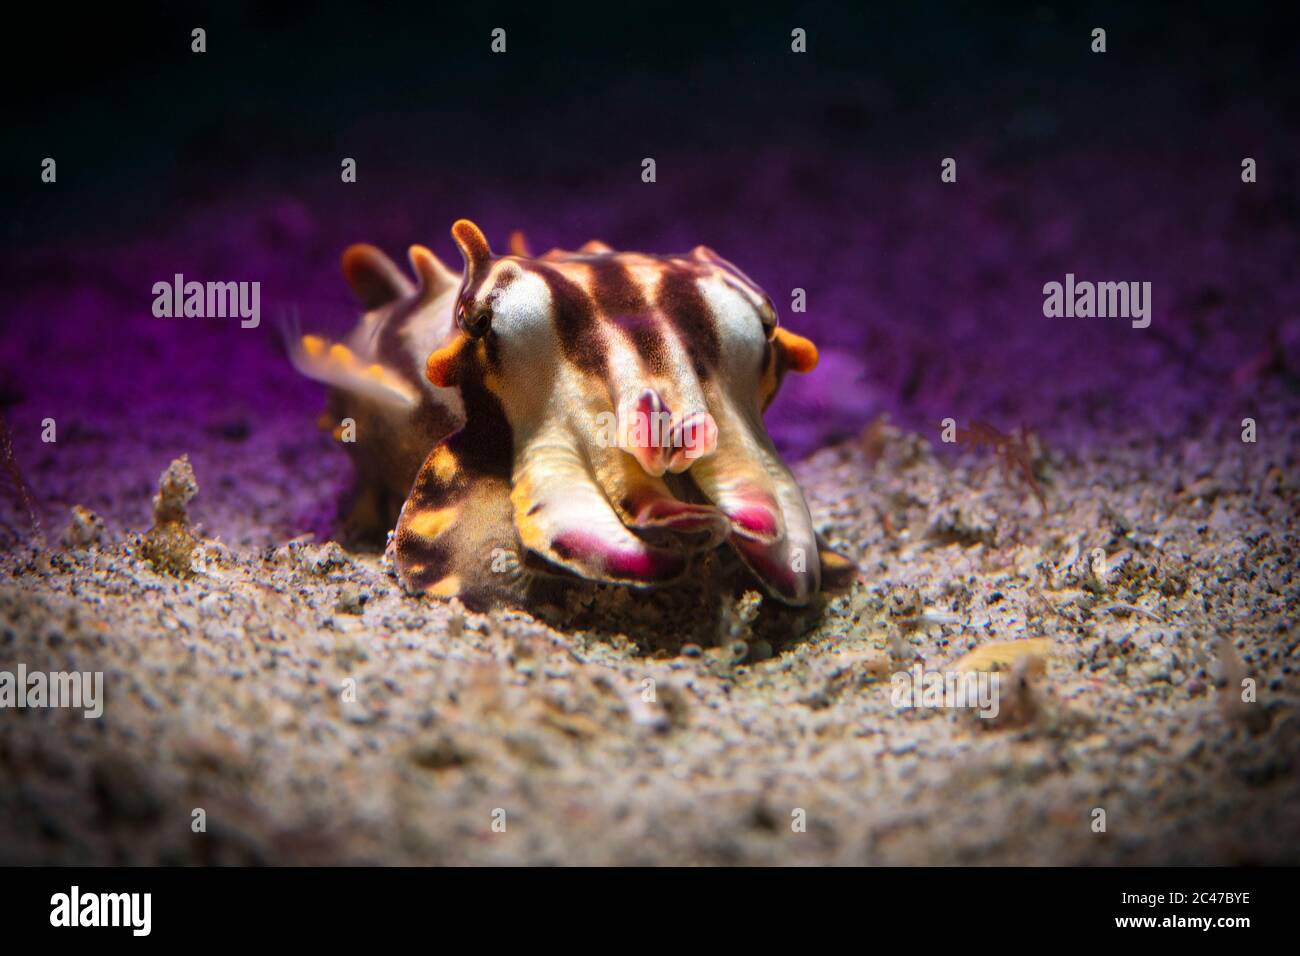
(590,413)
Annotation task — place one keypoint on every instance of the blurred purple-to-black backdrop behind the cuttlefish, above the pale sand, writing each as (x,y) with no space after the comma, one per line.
(817,172)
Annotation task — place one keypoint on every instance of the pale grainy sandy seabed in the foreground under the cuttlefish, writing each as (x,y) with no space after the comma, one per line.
(317,715)
